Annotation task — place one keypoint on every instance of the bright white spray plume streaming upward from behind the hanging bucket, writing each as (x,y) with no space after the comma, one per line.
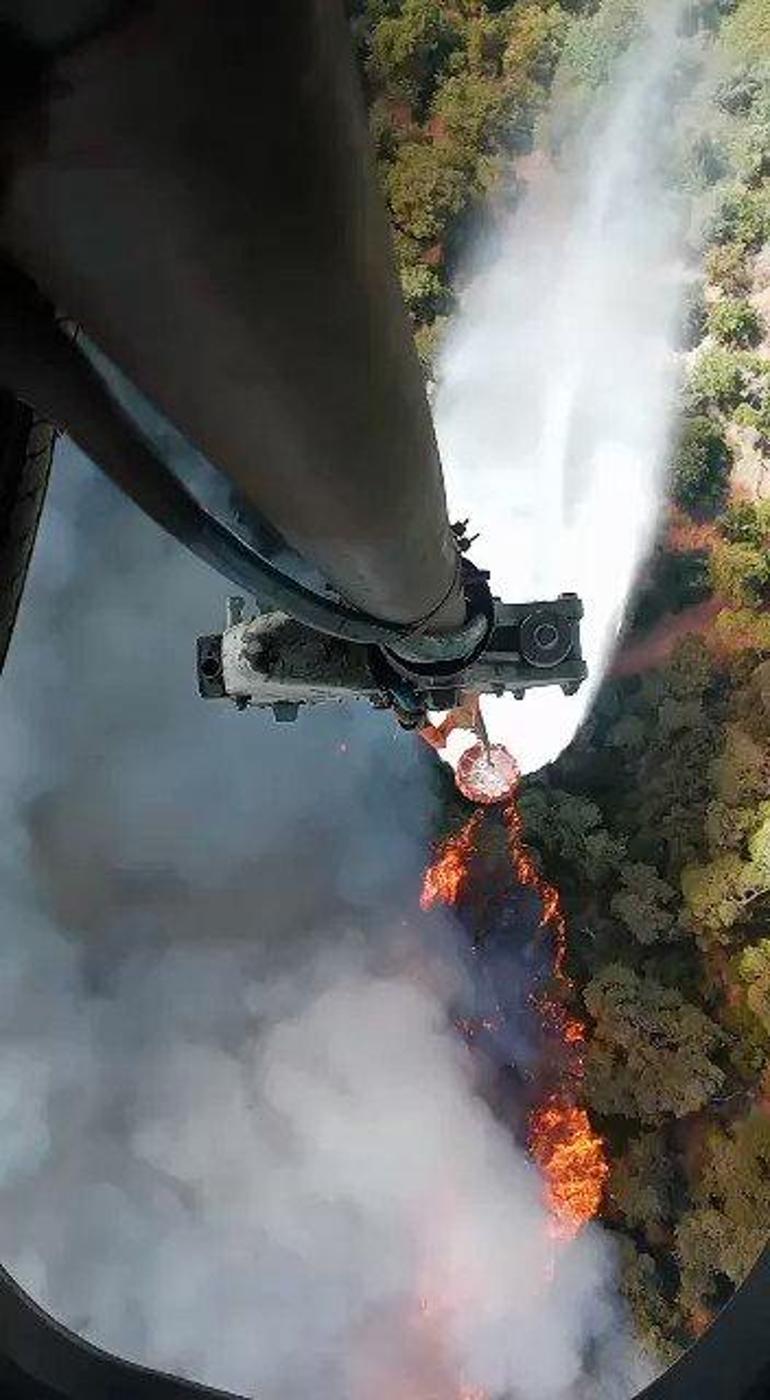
(555,393)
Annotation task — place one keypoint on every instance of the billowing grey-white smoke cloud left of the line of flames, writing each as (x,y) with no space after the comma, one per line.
(239,1137)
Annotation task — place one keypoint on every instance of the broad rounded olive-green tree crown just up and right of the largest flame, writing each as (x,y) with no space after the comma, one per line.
(652,1052)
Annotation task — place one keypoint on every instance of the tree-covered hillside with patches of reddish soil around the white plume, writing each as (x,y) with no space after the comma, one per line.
(656,824)
